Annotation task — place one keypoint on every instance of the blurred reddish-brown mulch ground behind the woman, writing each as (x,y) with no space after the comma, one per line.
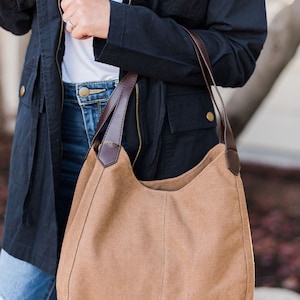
(273,197)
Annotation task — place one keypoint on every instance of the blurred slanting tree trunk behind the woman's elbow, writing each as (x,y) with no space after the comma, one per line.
(281,45)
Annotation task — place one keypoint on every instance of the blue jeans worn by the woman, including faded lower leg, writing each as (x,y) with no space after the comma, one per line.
(83,104)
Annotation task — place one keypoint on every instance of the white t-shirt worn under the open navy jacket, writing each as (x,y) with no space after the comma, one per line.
(79,64)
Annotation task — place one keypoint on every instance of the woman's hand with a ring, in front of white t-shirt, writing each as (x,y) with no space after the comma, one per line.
(86,18)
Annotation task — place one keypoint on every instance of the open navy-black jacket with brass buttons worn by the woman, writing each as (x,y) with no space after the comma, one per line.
(166,129)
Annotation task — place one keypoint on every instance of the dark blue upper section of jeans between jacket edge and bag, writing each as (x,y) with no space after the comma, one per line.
(79,121)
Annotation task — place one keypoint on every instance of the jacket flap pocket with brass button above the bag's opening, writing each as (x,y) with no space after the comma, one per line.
(189,109)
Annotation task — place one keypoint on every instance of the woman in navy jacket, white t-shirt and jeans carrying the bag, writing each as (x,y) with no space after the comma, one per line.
(77,52)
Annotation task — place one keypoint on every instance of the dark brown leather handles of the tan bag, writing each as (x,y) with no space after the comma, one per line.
(111,143)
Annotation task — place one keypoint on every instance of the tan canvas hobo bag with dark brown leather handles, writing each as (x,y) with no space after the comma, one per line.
(181,238)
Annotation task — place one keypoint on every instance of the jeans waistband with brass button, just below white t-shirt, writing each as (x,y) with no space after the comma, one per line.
(87,92)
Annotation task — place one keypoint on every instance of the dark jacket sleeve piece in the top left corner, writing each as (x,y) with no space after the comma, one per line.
(16,15)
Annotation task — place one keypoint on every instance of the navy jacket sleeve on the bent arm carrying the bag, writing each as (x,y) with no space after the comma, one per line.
(141,41)
